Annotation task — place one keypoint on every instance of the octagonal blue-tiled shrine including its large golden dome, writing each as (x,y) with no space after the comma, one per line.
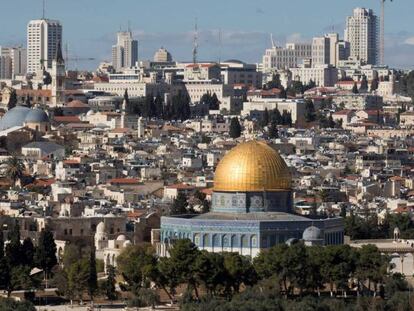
(252,208)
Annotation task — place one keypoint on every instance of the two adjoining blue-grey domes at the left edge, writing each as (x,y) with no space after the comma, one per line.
(18,115)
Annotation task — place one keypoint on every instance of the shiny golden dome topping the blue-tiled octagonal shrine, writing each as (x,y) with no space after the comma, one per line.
(252,166)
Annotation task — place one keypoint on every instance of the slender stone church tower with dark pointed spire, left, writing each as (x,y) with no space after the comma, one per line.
(58,78)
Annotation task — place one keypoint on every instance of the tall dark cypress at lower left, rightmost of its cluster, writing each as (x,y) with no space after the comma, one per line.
(45,254)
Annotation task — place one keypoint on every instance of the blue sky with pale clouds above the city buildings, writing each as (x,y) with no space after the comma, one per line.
(243,39)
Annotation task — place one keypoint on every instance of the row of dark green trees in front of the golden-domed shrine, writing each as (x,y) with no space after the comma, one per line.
(292,271)
